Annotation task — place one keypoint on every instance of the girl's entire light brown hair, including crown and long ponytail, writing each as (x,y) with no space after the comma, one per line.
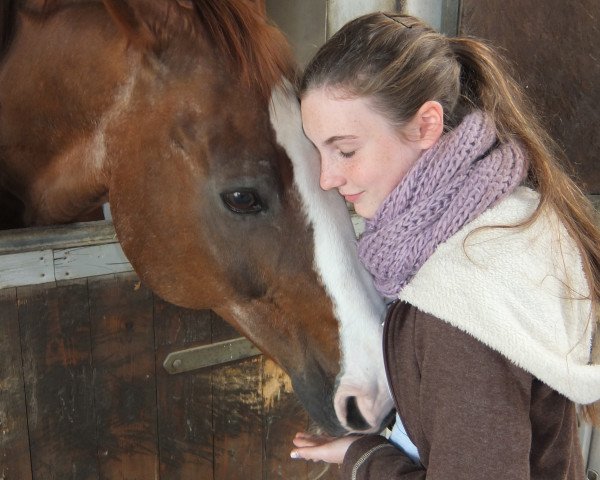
(398,63)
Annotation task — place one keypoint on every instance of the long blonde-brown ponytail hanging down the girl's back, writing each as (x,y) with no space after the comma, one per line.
(487,84)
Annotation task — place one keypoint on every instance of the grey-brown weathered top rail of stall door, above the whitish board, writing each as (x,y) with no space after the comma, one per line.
(57,236)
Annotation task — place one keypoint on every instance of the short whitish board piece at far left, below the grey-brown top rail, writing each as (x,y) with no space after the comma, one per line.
(27,268)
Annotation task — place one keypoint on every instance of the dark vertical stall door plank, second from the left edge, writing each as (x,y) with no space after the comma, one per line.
(58,375)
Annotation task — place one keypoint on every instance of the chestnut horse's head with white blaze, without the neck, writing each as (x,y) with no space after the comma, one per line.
(215,197)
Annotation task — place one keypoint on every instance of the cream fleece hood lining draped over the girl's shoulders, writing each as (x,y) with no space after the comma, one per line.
(508,288)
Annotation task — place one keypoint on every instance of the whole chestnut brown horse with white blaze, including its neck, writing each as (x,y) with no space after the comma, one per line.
(183,116)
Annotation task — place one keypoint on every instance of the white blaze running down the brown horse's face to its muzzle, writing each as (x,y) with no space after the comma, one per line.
(358,307)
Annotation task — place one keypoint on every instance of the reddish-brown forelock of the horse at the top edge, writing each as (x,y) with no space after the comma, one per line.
(241,32)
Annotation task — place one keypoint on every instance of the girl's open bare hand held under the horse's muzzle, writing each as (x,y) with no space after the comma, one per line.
(321,447)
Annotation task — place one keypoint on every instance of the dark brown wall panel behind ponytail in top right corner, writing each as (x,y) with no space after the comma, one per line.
(554,48)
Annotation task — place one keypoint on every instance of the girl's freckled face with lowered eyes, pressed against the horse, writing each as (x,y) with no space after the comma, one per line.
(362,154)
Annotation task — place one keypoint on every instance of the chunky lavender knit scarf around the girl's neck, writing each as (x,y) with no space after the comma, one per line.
(454,181)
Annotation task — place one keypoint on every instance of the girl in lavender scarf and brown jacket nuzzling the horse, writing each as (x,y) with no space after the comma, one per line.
(488,248)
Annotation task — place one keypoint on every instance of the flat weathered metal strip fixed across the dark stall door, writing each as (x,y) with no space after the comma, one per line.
(209,355)
